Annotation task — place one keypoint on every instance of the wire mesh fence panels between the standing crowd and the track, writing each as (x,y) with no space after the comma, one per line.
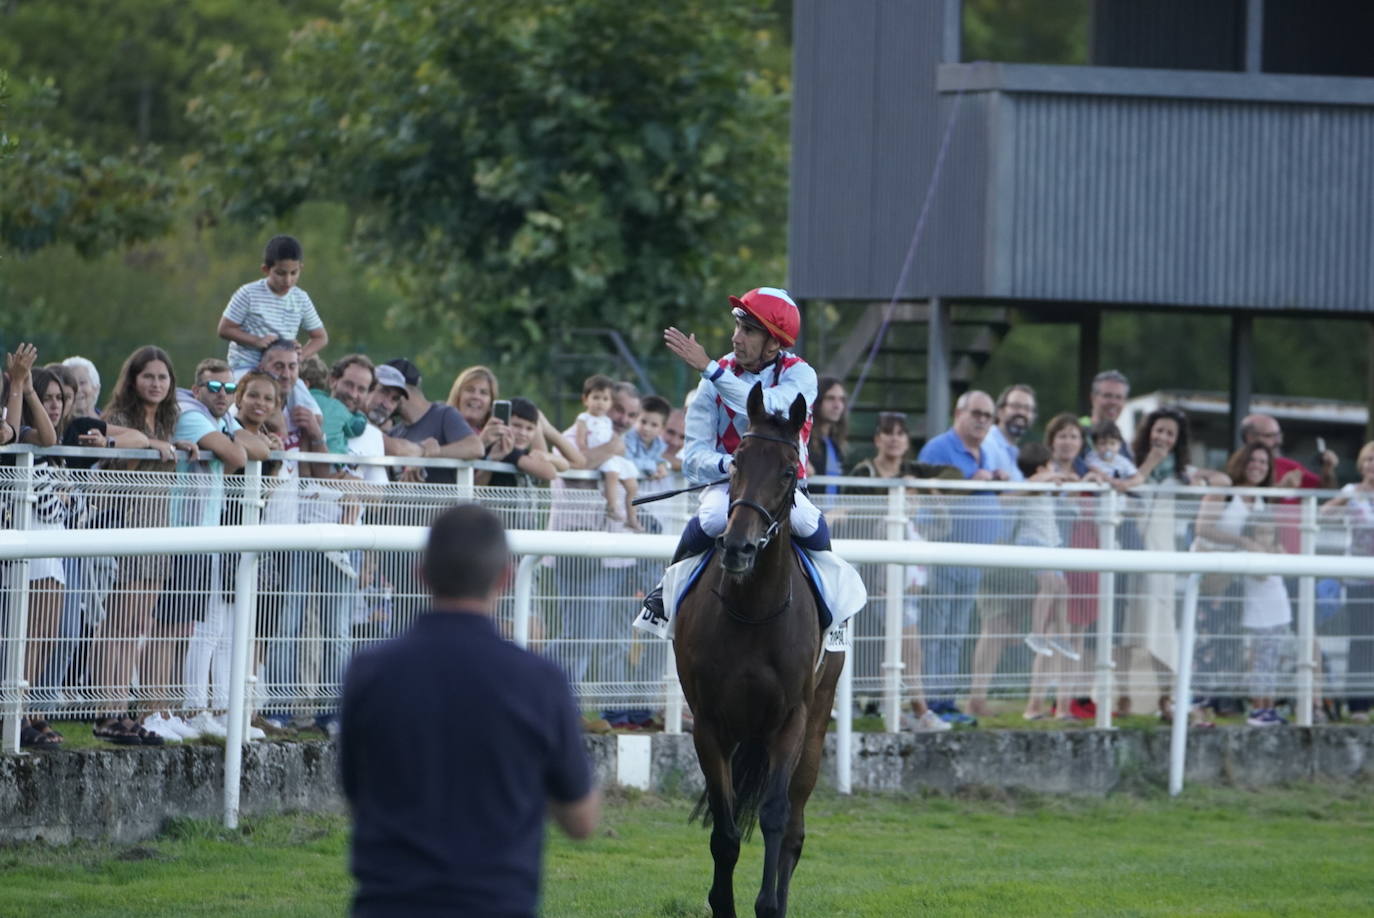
(98,636)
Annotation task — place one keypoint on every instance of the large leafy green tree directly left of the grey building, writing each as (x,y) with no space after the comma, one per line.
(526,167)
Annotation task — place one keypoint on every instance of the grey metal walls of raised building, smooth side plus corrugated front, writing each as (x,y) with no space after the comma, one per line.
(1064,192)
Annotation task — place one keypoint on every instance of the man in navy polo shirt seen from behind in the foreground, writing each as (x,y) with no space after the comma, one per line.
(454,744)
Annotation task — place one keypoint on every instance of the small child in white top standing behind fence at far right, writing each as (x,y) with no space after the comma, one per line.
(1266,620)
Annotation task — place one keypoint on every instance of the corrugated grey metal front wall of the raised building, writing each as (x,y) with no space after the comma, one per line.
(1188,203)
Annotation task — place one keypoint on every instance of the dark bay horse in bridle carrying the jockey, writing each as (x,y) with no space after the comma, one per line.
(748,641)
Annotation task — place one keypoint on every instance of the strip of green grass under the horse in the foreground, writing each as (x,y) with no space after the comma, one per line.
(1296,851)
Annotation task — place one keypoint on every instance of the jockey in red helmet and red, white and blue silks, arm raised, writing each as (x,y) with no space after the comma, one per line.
(767,321)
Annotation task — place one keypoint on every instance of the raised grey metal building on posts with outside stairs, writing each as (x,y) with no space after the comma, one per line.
(1215,156)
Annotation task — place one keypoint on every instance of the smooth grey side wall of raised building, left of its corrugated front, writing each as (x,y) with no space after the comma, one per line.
(866,128)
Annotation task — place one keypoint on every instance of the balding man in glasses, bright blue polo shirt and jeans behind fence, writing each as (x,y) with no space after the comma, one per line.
(947,615)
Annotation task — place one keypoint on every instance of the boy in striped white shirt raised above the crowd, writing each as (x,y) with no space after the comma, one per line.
(271,309)
